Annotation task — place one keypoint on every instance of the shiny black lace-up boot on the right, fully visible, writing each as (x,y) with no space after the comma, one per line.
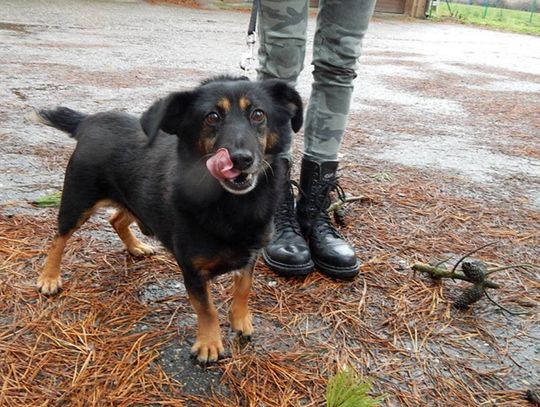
(332,254)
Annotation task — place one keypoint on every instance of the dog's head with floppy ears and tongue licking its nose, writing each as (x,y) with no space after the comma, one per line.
(237,125)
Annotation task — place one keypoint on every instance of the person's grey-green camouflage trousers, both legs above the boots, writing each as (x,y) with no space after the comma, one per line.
(341,26)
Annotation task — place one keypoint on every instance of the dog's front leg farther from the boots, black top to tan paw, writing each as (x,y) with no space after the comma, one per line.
(208,345)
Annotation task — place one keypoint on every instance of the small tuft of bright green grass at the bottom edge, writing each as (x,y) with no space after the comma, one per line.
(348,389)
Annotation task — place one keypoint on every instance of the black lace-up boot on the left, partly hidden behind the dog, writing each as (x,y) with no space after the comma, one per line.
(287,254)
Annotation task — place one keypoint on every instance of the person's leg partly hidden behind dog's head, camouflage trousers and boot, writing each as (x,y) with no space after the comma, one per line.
(282,32)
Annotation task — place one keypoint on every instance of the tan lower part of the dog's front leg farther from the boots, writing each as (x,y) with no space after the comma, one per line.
(208,345)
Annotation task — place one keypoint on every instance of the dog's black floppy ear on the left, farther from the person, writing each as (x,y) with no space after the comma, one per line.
(166,114)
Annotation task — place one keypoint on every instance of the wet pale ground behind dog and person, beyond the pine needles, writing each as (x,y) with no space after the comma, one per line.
(449,97)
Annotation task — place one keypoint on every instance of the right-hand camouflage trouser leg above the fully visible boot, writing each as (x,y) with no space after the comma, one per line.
(341,27)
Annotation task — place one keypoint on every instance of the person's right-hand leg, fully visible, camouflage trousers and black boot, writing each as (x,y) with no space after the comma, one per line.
(341,27)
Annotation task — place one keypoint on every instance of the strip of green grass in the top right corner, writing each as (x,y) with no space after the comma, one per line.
(503,19)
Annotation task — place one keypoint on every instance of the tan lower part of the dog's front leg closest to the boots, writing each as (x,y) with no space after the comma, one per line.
(239,314)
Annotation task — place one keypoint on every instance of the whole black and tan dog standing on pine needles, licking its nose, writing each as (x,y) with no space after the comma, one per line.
(155,171)
